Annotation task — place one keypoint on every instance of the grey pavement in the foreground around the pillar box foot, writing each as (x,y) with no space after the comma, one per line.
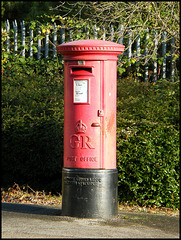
(33,221)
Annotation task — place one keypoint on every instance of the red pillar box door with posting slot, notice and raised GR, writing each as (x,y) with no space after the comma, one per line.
(82,125)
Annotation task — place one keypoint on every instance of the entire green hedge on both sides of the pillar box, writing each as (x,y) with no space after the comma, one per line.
(147,135)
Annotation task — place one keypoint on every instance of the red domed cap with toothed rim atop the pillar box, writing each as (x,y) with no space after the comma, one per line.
(90,50)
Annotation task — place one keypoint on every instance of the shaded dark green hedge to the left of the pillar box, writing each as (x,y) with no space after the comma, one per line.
(32,128)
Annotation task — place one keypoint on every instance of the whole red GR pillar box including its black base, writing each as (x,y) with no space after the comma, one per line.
(89,184)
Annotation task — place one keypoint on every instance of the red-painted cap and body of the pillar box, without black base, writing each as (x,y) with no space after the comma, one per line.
(90,126)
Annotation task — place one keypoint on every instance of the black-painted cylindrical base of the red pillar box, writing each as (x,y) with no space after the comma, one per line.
(89,193)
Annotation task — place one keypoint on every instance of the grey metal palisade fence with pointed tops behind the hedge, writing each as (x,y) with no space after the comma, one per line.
(129,37)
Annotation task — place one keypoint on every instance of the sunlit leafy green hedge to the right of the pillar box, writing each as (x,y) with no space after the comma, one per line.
(148,143)
